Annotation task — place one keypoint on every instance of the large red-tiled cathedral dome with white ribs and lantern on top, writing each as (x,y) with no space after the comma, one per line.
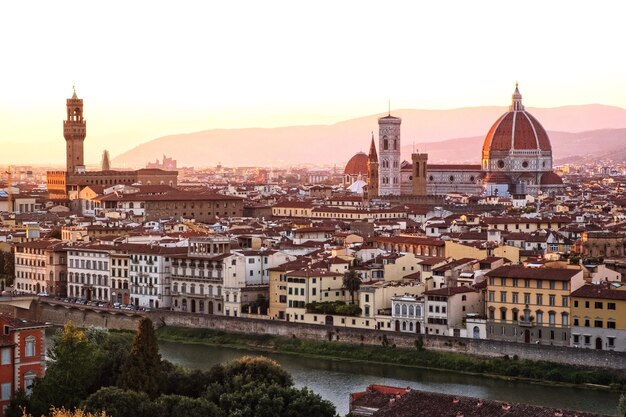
(516,130)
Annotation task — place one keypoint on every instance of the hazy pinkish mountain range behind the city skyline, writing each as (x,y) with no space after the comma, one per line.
(449,136)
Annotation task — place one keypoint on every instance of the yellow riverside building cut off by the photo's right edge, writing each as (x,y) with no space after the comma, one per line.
(599,316)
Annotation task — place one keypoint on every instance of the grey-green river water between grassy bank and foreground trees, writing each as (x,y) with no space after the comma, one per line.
(335,380)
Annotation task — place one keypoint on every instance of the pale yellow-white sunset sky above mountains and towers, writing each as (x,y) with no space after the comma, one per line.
(150,68)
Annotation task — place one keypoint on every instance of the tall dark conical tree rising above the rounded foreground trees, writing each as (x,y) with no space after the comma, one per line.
(142,370)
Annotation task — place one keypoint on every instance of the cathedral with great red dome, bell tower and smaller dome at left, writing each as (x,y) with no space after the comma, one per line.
(516,159)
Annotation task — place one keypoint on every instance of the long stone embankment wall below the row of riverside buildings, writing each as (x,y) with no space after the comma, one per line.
(115,319)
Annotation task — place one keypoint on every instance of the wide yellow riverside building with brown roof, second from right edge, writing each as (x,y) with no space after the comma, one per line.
(530,304)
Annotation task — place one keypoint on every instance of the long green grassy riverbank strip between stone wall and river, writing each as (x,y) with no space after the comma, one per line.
(506,367)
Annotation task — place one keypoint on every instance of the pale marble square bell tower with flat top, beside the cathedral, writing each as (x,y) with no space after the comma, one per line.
(389,155)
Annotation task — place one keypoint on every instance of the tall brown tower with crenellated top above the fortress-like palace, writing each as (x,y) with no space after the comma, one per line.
(74,131)
